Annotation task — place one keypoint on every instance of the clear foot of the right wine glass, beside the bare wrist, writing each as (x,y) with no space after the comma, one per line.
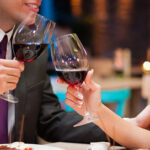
(86,119)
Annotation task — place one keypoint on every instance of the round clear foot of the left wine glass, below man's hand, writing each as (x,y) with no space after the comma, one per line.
(9,97)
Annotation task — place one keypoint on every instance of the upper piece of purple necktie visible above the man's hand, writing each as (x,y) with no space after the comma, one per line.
(3,47)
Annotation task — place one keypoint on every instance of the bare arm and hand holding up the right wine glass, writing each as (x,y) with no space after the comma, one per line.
(120,130)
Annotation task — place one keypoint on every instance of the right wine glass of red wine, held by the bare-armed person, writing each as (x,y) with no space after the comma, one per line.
(71,64)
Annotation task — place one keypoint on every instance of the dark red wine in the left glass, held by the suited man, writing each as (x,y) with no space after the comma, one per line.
(28,52)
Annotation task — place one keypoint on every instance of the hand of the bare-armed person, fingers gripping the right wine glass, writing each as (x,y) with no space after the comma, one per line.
(88,93)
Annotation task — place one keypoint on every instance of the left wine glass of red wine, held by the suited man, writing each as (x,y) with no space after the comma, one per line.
(30,39)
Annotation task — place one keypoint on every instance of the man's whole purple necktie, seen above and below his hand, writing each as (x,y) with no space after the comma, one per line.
(3,103)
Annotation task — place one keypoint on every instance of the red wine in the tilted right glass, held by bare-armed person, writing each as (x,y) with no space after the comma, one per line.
(72,76)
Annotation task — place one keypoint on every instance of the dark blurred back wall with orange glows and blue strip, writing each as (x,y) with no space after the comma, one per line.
(104,25)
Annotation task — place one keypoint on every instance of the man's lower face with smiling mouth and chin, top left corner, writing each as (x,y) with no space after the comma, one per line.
(14,11)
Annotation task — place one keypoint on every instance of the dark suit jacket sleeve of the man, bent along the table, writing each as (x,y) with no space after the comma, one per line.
(55,124)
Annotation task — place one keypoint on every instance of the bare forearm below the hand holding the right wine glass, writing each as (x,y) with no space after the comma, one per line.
(122,131)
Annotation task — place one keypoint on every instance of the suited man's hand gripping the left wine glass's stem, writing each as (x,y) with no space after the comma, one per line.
(10,71)
